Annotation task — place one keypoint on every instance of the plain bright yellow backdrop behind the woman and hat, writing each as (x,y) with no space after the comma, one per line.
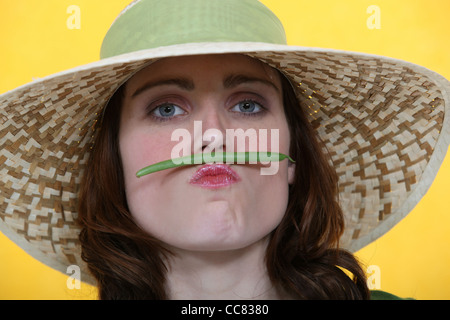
(414,257)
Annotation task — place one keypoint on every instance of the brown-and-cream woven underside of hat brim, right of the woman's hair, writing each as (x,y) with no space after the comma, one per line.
(380,122)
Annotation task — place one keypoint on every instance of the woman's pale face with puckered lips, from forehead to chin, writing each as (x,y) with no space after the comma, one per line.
(204,207)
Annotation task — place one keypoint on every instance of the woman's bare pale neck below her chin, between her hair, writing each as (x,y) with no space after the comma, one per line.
(235,274)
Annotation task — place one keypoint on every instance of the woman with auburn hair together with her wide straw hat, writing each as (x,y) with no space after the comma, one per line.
(217,231)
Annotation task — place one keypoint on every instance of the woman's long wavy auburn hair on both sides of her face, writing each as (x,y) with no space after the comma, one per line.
(303,257)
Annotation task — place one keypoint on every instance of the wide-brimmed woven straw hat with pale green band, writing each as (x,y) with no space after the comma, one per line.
(385,122)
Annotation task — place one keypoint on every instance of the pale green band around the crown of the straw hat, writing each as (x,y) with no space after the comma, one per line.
(155,23)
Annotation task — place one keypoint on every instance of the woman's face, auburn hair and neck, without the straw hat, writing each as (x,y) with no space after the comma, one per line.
(256,237)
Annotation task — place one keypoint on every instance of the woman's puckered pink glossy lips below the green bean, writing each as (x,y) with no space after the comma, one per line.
(213,176)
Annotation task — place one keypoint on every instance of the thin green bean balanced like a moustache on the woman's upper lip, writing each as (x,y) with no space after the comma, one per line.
(224,157)
